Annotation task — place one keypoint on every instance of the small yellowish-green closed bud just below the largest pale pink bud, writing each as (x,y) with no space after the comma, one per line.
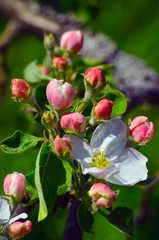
(49,119)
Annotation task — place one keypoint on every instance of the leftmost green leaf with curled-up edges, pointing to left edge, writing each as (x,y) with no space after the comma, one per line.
(19,142)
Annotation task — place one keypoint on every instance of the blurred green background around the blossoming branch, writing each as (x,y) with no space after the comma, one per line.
(134,26)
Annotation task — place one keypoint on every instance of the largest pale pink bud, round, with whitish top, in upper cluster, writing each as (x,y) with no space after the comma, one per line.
(61,96)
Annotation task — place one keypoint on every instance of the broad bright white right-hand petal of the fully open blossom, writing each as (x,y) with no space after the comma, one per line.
(131,166)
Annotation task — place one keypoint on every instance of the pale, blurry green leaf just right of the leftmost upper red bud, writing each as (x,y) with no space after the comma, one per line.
(33,75)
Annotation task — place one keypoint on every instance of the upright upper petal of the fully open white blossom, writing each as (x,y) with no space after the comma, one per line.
(110,137)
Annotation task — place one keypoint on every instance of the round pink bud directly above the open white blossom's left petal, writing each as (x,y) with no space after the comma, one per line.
(73,122)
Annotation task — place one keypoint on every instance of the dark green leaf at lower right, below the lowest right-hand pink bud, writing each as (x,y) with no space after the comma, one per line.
(122,219)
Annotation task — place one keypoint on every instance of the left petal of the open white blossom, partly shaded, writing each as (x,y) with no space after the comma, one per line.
(81,150)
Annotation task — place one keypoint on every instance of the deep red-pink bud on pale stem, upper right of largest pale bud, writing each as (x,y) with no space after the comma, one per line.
(95,78)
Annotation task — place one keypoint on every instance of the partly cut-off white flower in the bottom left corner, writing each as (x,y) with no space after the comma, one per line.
(5,215)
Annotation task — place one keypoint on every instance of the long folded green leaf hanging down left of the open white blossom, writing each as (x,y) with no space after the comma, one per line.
(49,174)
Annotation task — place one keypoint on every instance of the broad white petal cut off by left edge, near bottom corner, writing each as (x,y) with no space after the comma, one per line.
(4,210)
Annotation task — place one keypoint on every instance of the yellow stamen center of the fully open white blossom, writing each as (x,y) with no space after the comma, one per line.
(100,161)
